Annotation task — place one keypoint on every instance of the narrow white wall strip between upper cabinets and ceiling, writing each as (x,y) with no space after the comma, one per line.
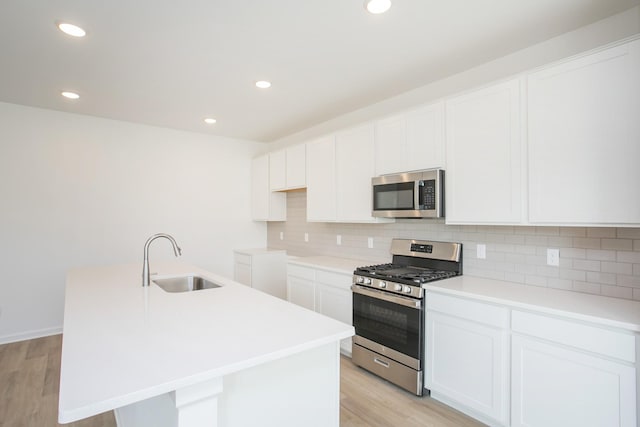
(600,33)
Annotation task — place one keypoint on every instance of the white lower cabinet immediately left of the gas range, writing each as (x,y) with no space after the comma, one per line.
(325,292)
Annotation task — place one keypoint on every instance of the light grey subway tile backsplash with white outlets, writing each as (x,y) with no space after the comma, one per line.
(597,260)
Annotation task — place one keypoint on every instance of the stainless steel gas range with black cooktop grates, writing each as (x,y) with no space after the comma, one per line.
(388,309)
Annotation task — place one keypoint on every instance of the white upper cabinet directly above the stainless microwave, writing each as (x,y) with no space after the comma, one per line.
(410,141)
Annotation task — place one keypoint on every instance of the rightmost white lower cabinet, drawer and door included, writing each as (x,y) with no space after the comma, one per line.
(566,373)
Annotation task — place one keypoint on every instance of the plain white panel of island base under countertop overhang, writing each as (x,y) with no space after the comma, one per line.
(299,390)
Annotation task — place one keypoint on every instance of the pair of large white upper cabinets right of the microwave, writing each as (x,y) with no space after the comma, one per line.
(558,146)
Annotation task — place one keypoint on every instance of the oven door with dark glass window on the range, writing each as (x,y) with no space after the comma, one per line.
(392,321)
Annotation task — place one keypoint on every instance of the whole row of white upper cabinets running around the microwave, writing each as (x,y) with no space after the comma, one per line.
(556,146)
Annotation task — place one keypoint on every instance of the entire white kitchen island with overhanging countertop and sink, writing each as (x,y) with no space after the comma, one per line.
(228,356)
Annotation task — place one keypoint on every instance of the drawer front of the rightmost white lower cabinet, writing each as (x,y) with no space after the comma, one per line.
(586,337)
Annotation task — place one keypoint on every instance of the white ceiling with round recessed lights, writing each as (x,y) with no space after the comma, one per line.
(171,63)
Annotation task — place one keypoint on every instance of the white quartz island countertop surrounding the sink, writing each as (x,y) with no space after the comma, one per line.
(123,343)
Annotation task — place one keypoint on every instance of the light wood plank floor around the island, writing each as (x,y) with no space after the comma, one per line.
(30,376)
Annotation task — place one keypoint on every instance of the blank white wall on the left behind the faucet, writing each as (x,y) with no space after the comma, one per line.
(78,190)
